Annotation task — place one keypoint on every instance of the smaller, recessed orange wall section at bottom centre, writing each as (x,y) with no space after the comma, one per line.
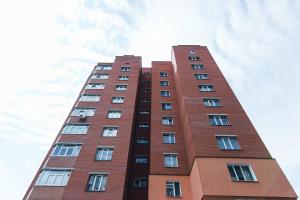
(157,187)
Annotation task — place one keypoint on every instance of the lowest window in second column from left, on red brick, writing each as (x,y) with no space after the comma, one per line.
(97,182)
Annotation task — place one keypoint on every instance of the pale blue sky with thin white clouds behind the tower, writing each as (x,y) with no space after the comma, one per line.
(48,48)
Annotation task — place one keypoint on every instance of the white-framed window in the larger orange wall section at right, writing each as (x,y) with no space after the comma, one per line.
(241,172)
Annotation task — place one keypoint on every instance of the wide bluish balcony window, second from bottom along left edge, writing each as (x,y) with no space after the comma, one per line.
(66,150)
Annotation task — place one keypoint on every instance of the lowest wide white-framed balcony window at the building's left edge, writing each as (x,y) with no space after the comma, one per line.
(54,177)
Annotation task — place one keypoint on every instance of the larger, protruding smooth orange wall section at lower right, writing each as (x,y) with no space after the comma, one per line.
(216,181)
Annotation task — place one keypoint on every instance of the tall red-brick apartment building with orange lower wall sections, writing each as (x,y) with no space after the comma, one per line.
(175,130)
